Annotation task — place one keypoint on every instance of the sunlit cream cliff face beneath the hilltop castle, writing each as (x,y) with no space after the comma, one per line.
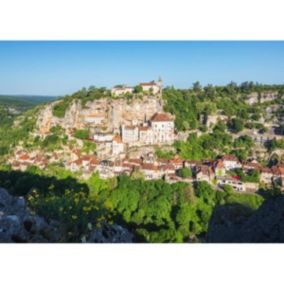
(102,114)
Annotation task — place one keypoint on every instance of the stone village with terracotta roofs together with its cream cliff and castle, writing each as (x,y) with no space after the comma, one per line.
(126,135)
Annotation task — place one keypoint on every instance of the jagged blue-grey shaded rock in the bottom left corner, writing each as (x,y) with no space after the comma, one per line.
(18,224)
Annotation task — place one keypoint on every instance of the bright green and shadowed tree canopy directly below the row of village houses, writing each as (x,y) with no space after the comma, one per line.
(154,211)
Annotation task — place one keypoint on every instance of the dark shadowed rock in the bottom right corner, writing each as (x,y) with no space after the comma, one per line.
(232,224)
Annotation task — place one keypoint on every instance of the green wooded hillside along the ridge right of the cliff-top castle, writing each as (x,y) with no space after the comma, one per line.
(192,106)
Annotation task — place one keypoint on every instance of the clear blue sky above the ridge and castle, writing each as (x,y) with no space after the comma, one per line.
(59,68)
